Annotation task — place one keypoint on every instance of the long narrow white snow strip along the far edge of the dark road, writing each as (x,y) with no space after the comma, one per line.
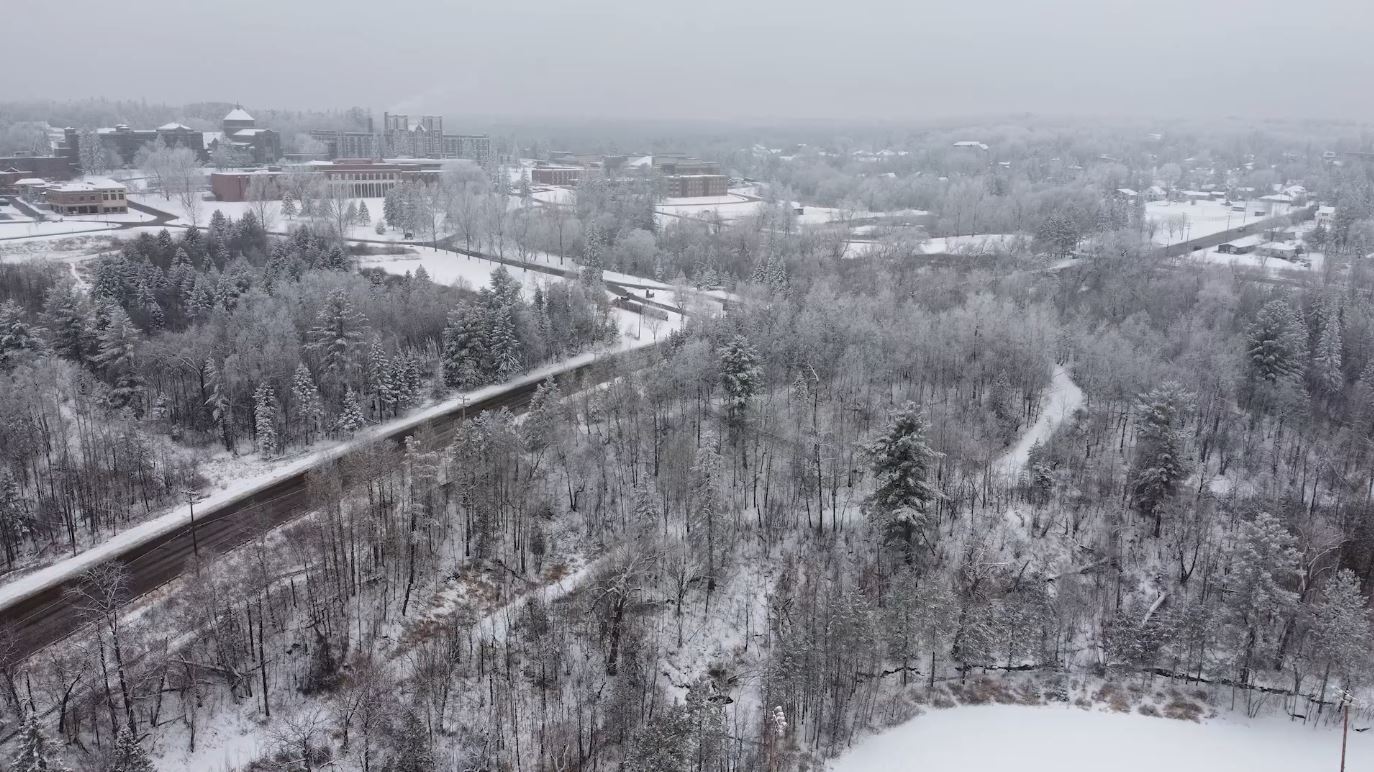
(244,487)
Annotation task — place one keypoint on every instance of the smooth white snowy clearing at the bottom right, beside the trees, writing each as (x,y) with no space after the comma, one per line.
(1005,738)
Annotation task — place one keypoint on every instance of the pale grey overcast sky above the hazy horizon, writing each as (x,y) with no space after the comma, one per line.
(728,60)
